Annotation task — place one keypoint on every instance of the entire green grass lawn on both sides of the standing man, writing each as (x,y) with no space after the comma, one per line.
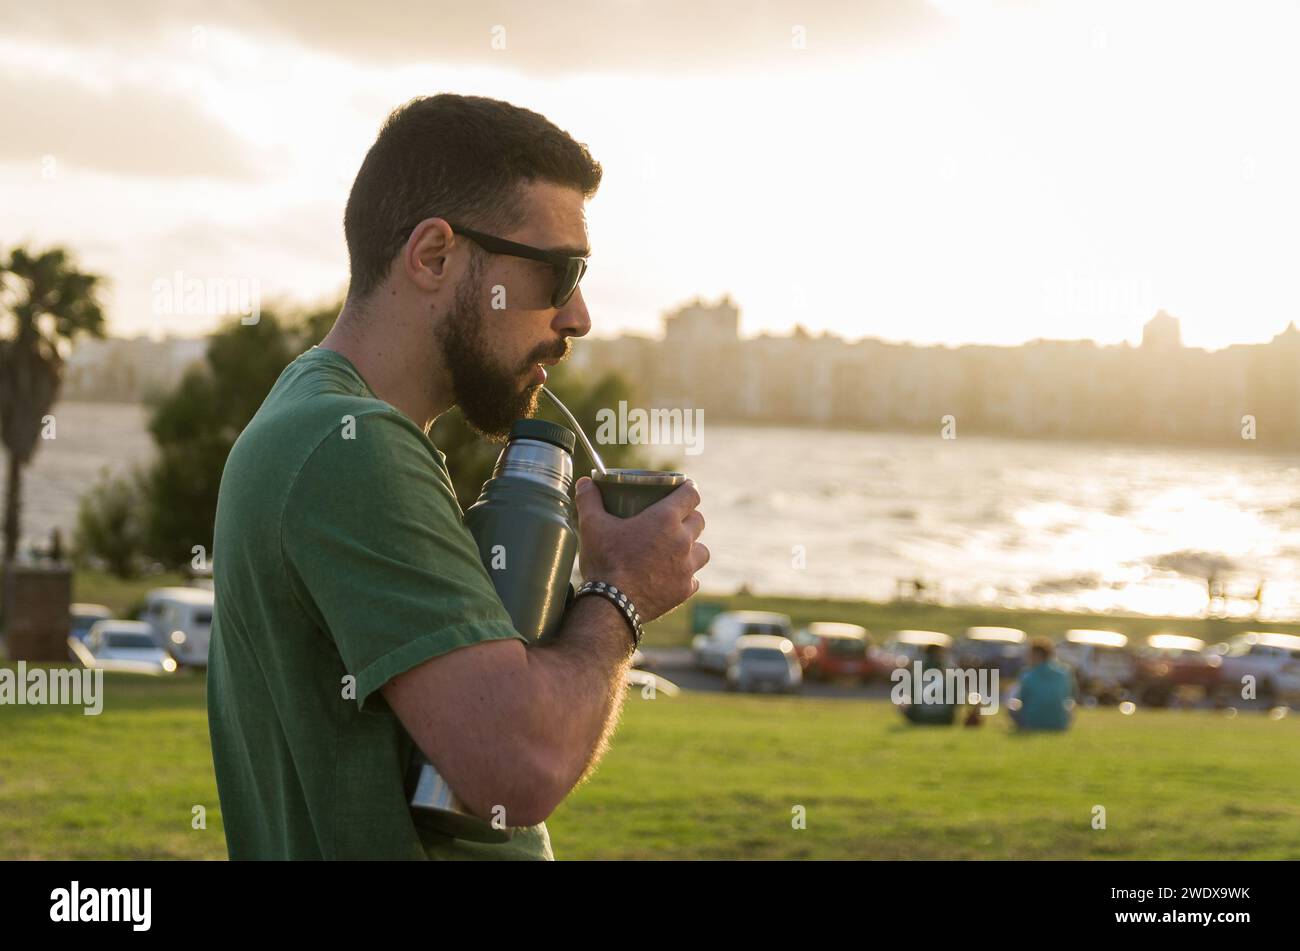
(718,776)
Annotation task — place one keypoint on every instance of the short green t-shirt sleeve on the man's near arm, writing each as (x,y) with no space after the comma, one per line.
(378,553)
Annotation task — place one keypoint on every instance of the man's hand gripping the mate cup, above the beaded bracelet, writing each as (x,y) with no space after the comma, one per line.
(652,557)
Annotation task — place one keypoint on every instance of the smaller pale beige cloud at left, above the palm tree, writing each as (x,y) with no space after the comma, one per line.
(131,129)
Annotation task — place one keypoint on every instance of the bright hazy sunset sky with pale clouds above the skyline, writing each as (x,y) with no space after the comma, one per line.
(928,171)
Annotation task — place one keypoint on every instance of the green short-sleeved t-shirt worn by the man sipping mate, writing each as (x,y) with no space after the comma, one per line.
(340,550)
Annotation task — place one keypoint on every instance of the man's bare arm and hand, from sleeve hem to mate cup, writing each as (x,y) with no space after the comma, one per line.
(519,727)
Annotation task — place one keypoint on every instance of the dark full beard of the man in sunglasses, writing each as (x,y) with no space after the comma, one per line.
(489,396)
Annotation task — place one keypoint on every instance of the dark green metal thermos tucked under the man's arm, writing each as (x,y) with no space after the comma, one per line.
(526,527)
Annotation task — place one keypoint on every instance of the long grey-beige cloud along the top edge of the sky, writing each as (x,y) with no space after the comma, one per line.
(545,40)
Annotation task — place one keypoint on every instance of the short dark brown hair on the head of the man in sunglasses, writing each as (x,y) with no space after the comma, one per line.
(457,158)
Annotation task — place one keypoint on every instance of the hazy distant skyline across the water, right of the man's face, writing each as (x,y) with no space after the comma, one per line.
(1160,392)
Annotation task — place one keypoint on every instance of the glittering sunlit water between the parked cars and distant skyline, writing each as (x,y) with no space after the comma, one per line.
(981,520)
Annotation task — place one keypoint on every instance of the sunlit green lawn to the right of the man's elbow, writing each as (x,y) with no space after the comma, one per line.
(716,776)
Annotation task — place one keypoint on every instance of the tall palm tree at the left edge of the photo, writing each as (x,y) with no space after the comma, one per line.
(45,301)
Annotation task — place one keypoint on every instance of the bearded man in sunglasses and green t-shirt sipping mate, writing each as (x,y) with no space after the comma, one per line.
(356,623)
